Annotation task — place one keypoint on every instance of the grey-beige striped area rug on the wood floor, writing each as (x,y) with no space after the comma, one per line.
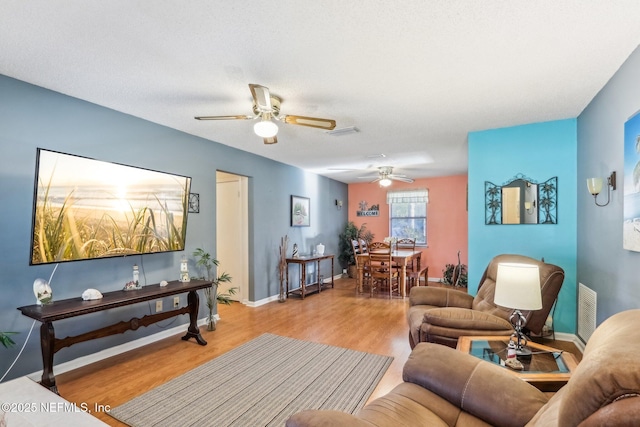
(260,383)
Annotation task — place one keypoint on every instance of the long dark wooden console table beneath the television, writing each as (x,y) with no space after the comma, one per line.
(73,307)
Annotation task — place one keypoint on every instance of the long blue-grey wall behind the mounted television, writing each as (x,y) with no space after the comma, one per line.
(32,117)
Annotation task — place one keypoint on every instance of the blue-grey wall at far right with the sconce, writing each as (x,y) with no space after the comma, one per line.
(603,265)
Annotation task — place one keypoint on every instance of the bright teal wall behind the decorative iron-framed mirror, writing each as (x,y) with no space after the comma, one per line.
(539,151)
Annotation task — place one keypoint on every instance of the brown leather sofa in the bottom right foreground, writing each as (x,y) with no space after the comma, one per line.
(445,387)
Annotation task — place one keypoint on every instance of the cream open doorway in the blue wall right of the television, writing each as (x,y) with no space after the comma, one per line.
(232,231)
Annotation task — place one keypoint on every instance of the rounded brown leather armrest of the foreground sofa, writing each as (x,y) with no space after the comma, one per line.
(487,391)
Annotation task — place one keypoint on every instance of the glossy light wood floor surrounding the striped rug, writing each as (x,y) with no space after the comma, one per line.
(338,316)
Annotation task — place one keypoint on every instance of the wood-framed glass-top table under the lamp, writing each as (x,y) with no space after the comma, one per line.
(547,369)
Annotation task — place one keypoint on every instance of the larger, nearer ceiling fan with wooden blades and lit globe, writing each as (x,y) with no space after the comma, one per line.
(266,107)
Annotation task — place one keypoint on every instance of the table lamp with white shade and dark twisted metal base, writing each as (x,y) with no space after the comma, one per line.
(518,288)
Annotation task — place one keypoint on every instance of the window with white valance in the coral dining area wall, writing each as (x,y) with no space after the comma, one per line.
(408,214)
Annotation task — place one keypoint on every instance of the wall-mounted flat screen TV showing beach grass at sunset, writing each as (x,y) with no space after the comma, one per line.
(85,209)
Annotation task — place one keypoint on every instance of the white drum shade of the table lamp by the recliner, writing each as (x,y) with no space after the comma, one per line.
(518,286)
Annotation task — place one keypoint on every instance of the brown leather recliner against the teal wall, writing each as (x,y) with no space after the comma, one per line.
(441,315)
